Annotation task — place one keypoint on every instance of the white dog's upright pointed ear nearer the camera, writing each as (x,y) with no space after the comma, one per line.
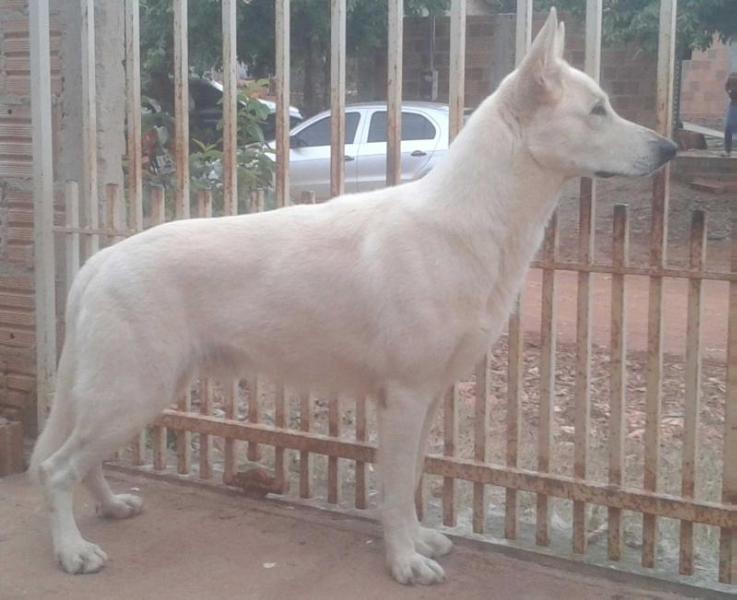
(539,74)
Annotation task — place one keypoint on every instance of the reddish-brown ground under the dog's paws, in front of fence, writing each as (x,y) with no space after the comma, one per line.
(195,544)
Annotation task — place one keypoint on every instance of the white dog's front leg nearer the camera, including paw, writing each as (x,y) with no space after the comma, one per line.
(401,423)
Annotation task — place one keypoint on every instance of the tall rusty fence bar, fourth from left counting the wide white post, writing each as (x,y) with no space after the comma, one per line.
(181,110)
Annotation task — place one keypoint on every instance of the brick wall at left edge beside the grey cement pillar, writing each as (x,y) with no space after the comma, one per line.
(17,351)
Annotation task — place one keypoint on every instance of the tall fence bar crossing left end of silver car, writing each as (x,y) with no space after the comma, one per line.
(282,102)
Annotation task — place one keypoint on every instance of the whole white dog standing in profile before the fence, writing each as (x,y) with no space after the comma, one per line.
(393,293)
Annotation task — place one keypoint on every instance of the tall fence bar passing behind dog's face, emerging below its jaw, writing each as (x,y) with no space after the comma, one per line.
(586,229)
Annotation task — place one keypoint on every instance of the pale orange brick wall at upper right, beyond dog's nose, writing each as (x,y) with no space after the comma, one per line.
(703,99)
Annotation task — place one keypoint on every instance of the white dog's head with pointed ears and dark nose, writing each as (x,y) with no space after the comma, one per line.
(567,122)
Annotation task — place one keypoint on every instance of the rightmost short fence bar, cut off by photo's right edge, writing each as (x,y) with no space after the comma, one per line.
(728,536)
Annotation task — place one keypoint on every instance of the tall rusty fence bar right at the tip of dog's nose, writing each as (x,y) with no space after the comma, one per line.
(658,244)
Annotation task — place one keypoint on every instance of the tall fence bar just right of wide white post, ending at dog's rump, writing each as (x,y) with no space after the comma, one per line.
(90,242)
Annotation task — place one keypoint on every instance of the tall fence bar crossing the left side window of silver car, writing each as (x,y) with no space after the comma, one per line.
(337,96)
